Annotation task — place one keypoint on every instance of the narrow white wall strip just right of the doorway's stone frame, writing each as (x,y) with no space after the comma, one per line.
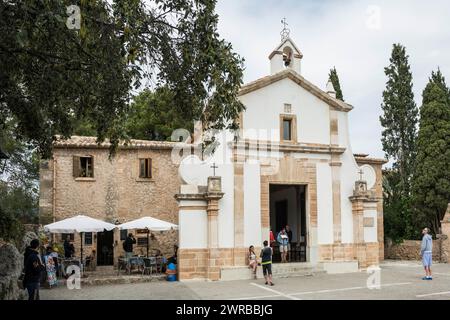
(324,204)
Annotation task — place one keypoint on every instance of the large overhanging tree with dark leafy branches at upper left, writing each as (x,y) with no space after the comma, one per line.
(52,77)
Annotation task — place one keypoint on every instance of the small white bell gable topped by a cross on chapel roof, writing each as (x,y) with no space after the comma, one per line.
(286,54)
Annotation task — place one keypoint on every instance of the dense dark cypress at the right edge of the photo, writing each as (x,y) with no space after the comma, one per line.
(431,183)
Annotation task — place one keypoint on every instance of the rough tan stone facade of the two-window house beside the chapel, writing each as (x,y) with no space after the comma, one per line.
(115,193)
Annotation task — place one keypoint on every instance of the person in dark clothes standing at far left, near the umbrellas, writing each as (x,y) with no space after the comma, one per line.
(33,270)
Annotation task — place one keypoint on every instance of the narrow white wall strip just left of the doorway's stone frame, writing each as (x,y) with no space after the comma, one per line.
(252,205)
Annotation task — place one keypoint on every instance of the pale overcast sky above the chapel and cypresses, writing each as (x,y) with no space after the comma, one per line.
(355,36)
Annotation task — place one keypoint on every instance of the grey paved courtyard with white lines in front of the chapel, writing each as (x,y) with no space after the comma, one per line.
(399,281)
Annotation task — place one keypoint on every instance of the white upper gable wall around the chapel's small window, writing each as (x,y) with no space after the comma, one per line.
(264,107)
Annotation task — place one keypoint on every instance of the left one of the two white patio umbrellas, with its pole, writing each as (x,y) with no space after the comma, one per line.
(79,224)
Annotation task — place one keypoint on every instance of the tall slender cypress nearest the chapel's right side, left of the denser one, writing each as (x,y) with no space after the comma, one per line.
(399,118)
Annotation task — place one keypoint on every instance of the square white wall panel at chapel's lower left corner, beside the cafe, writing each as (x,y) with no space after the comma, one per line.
(192,229)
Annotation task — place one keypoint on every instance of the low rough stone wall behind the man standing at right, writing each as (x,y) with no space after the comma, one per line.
(410,250)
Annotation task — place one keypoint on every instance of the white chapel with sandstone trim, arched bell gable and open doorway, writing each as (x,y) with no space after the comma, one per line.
(291,163)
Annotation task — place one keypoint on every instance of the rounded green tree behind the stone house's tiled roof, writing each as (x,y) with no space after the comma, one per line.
(153,116)
